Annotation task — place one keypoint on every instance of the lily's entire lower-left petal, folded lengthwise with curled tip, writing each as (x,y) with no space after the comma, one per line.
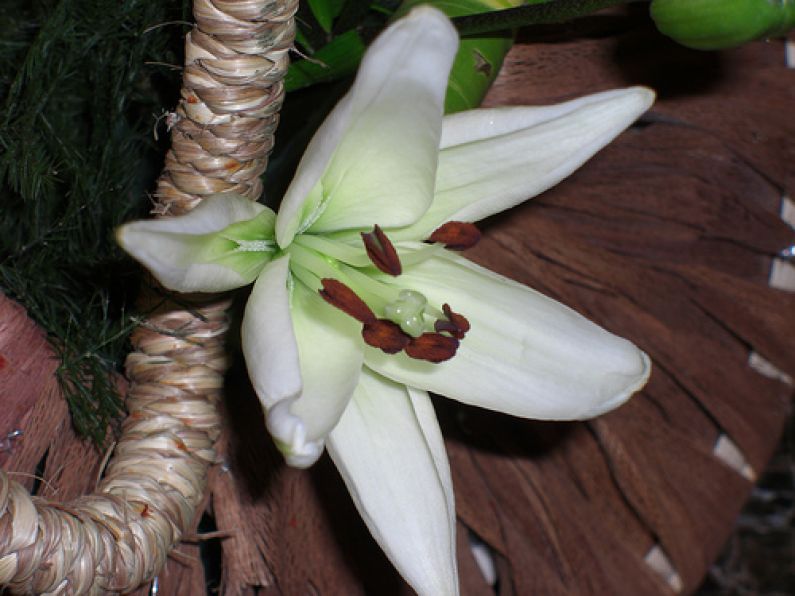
(304,358)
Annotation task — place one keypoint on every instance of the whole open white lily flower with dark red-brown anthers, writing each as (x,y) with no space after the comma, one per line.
(345,331)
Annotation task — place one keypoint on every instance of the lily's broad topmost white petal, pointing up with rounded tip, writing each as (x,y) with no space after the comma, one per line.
(374,158)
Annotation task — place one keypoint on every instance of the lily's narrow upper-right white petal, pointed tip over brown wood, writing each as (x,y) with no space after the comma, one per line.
(493,159)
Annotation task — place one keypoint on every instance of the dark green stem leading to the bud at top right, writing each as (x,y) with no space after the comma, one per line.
(554,11)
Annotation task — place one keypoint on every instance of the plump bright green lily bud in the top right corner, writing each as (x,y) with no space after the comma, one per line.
(717,24)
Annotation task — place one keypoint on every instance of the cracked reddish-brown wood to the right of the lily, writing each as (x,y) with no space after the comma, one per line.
(665,237)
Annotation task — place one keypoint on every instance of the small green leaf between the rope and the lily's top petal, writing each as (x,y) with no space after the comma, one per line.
(336,59)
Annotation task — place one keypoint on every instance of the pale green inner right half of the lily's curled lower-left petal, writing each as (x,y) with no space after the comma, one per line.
(330,356)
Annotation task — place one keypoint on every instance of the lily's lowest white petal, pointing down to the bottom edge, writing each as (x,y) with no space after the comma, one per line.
(390,453)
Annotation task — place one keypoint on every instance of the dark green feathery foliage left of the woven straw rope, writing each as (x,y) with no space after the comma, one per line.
(77,156)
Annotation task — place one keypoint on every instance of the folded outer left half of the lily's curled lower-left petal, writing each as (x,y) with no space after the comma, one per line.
(272,360)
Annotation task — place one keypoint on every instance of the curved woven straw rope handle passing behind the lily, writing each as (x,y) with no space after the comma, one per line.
(120,537)
